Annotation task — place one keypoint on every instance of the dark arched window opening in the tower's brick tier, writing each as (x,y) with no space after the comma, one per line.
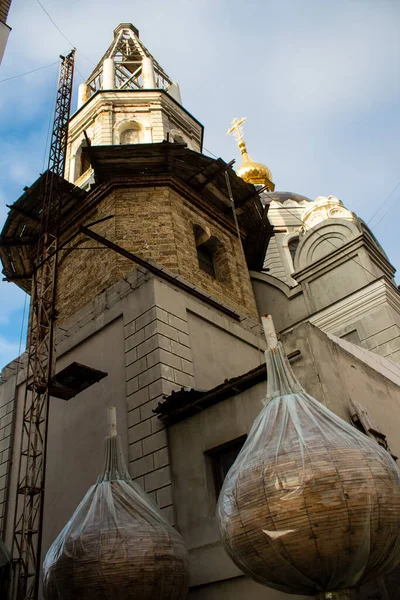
(210,253)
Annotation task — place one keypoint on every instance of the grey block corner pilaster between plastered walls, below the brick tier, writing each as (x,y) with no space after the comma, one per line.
(158,360)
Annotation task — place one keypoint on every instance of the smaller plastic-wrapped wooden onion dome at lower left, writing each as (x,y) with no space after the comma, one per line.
(117,545)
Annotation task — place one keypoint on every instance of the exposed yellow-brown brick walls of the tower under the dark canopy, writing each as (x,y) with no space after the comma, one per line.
(155,223)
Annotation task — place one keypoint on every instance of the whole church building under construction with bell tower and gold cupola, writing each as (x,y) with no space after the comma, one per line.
(168,260)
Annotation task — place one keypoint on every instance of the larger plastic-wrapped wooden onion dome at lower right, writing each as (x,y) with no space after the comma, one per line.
(311,505)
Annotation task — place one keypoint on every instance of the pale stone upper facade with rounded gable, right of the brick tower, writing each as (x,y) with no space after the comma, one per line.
(340,279)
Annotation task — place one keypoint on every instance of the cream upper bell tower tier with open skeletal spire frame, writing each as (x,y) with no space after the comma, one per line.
(127,99)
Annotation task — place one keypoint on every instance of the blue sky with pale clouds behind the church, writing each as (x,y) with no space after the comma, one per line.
(318,81)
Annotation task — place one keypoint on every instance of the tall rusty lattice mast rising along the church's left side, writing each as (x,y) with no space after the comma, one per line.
(28,519)
